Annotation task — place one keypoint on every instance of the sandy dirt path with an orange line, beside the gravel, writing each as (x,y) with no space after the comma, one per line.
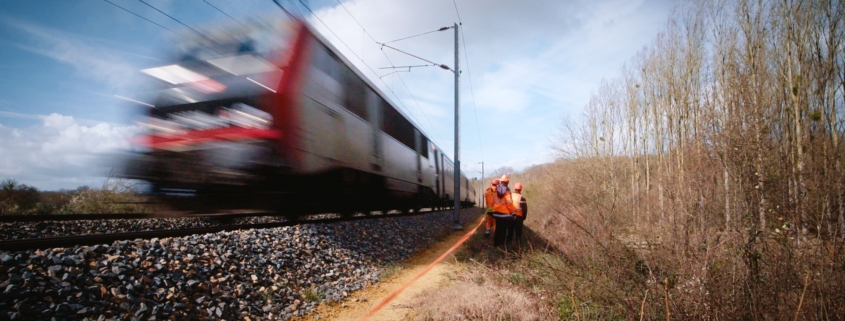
(360,302)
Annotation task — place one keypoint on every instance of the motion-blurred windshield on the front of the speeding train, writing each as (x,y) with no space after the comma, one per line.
(246,60)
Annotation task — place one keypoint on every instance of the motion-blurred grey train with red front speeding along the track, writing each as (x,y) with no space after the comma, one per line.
(272,116)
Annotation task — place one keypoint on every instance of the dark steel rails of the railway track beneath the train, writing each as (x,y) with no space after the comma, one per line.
(80,240)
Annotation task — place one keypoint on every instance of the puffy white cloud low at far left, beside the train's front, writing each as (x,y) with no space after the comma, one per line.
(60,152)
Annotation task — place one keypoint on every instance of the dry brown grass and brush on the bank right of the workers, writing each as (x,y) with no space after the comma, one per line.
(586,259)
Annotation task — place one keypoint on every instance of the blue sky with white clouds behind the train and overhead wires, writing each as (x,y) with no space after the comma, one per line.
(532,63)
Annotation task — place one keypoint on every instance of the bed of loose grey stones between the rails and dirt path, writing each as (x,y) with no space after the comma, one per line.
(260,274)
